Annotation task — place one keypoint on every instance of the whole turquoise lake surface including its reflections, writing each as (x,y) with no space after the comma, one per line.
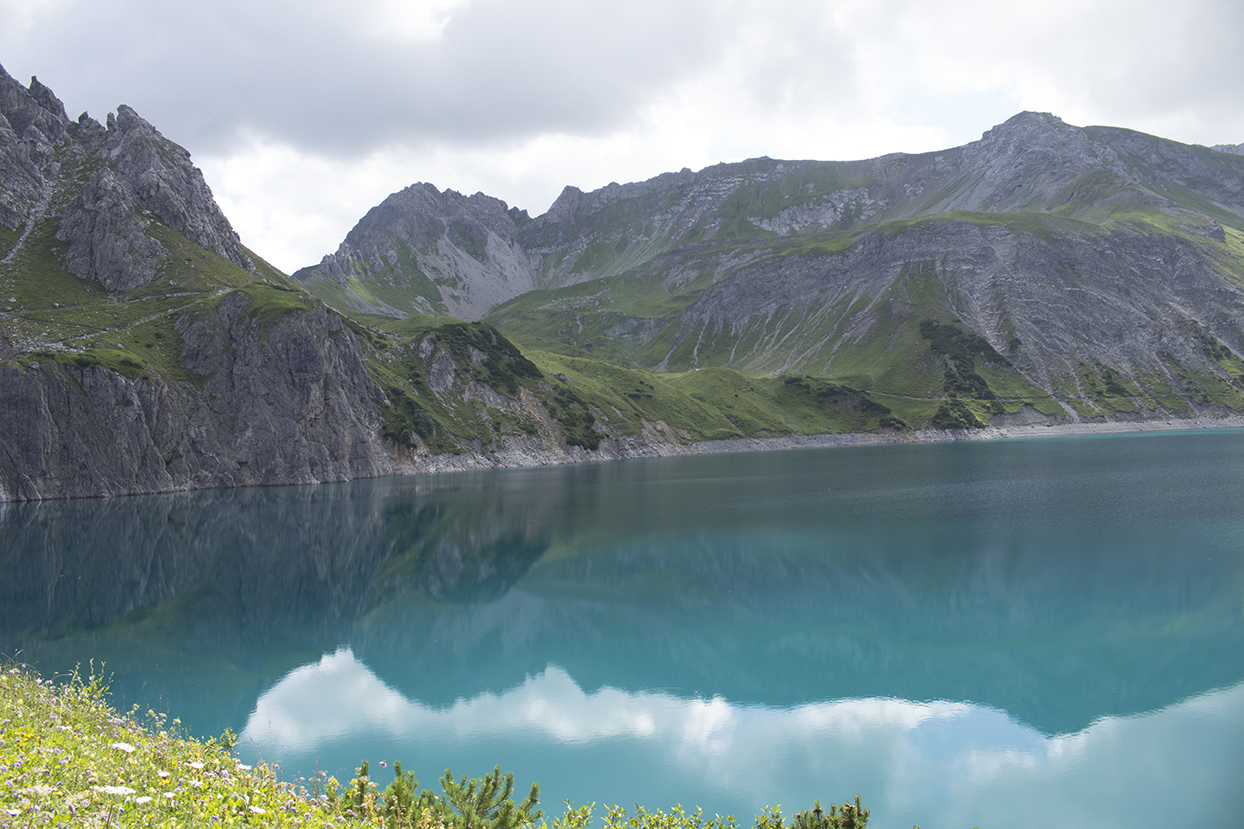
(1001,634)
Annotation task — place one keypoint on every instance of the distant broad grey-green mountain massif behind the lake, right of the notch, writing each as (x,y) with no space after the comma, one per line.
(1047,272)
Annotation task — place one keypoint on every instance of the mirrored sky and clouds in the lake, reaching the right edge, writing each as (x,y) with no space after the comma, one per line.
(934,764)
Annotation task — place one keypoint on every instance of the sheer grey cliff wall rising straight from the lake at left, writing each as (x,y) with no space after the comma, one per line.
(289,405)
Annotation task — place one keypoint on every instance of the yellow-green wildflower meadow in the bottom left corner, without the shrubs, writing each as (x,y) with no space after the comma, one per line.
(67,759)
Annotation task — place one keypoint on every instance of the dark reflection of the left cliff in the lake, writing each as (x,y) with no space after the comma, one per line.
(202,601)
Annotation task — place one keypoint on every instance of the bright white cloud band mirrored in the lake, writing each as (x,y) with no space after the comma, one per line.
(339,696)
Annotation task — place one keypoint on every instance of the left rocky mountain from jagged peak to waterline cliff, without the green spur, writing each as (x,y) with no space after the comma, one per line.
(144,349)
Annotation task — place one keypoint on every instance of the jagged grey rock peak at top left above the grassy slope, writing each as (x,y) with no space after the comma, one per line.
(104,187)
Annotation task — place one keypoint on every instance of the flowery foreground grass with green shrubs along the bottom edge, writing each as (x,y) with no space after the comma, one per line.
(67,759)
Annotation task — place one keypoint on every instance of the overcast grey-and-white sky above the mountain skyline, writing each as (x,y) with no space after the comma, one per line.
(305,115)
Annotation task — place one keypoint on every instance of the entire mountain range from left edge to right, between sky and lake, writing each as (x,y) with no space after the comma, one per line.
(1046,273)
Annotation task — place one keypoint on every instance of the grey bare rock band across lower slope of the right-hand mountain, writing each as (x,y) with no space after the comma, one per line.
(1135,303)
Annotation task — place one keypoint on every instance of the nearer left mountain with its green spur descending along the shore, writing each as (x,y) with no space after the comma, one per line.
(144,349)
